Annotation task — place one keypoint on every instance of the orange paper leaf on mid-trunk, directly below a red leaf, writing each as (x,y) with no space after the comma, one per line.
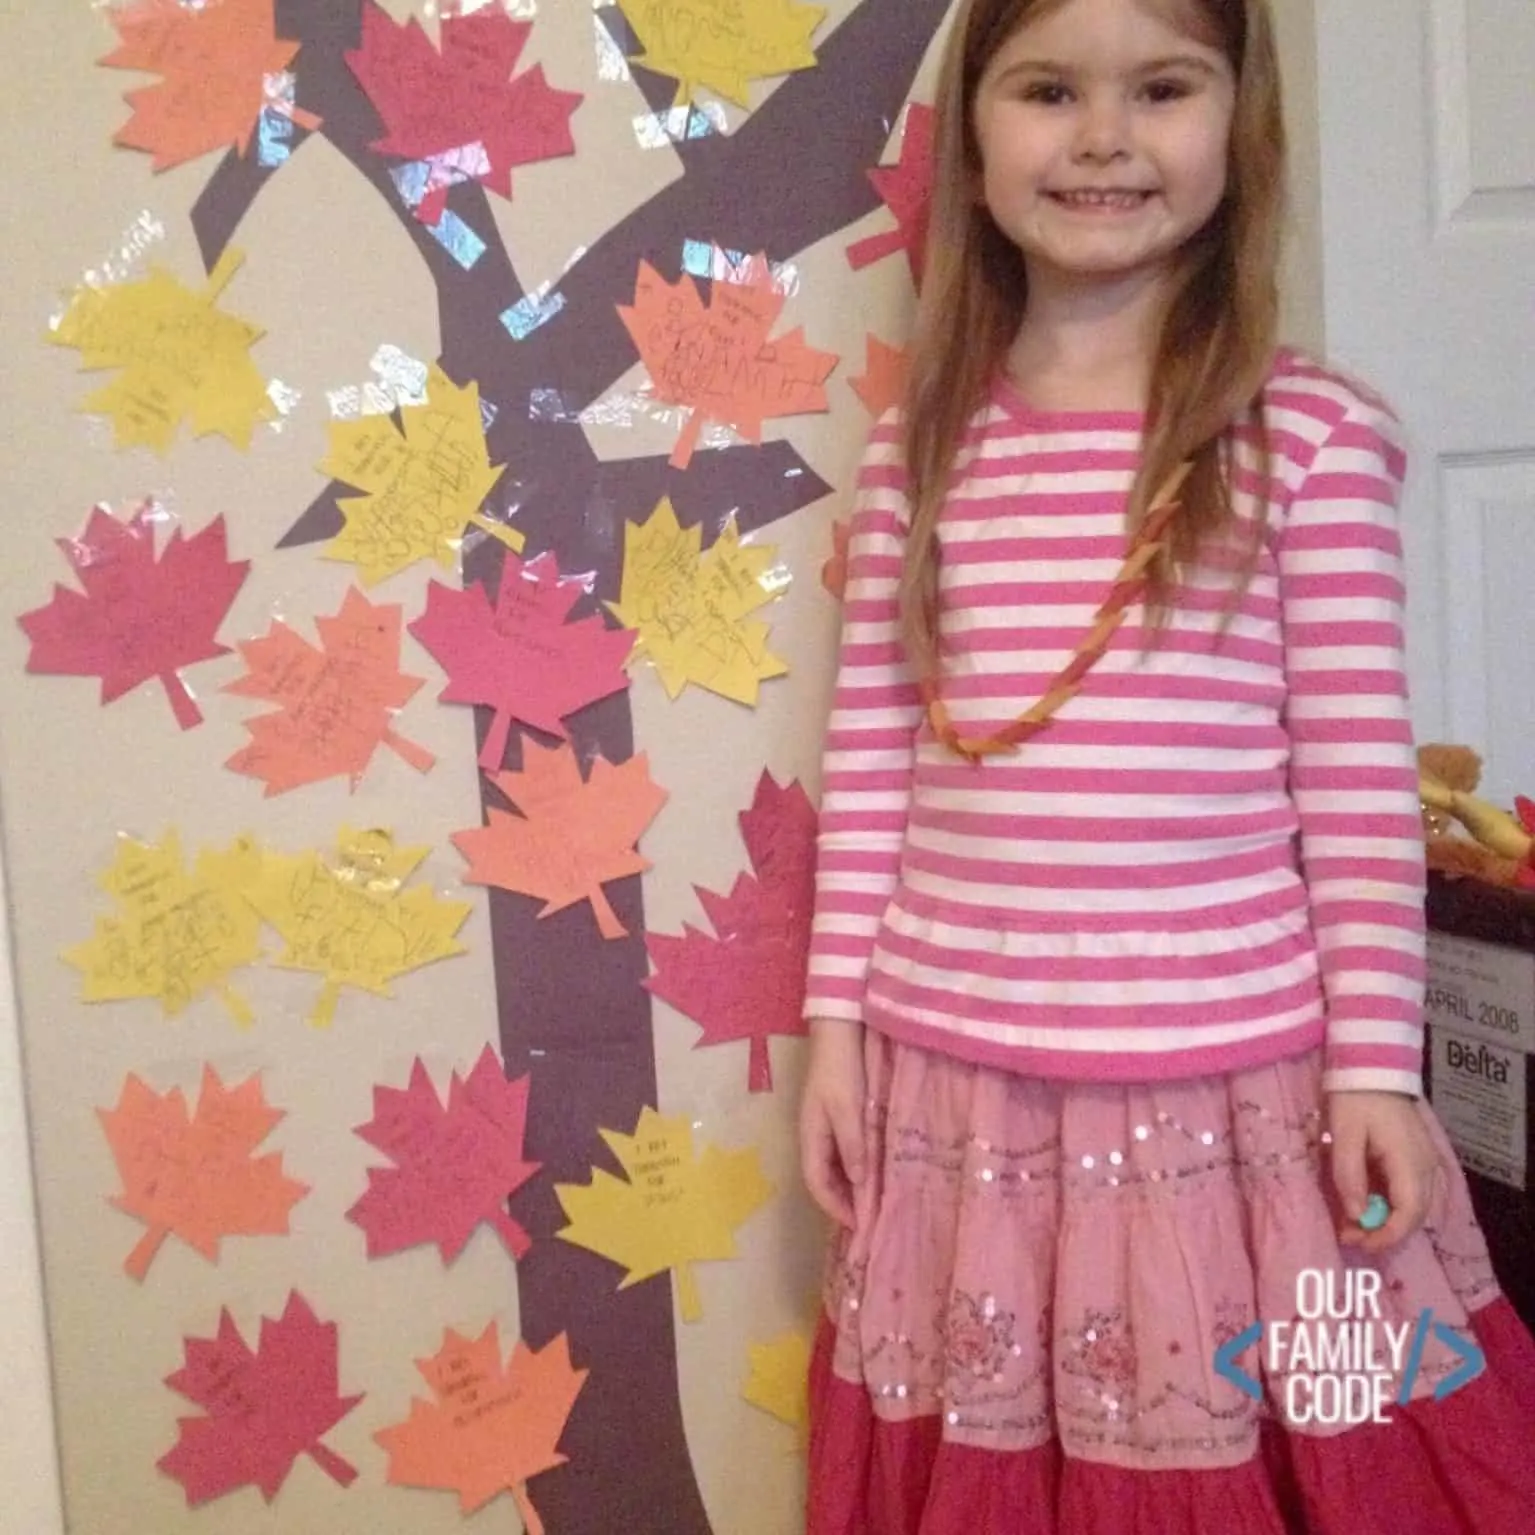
(573,834)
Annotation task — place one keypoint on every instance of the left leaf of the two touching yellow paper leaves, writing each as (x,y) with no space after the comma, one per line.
(180,933)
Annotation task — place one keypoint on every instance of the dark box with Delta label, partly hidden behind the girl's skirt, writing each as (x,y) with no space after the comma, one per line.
(1481,1068)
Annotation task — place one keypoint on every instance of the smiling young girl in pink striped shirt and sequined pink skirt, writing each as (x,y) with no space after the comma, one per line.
(1118,960)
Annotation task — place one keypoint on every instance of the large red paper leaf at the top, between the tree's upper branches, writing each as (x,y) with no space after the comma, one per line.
(435,102)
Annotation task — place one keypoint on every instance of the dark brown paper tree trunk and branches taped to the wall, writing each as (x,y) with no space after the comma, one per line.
(777,185)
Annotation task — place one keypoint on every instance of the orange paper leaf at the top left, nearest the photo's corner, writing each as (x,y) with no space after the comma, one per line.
(214,61)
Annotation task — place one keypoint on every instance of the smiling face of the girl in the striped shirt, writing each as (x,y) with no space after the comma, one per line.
(1104,133)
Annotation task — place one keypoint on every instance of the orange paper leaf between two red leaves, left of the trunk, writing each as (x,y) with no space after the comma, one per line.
(337,704)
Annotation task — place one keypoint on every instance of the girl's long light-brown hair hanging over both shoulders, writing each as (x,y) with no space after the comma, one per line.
(1218,340)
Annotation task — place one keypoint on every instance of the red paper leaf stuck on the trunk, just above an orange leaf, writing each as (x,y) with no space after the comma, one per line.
(523,656)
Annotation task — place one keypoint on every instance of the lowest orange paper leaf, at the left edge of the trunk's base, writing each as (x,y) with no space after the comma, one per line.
(492,1428)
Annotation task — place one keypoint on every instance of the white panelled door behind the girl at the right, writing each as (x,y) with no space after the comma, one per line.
(1428,191)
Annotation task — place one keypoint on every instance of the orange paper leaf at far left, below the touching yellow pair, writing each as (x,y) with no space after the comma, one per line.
(196,1175)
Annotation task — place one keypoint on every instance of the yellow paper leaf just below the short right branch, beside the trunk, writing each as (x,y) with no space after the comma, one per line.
(692,610)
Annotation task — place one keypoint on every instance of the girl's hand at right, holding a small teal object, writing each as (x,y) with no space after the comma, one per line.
(1381,1146)
